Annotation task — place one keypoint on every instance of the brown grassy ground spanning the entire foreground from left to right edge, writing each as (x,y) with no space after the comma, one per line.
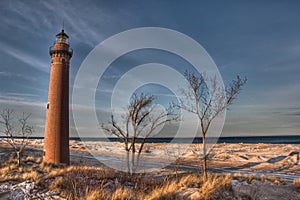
(83,182)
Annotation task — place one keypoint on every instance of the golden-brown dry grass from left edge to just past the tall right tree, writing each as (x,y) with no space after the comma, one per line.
(82,182)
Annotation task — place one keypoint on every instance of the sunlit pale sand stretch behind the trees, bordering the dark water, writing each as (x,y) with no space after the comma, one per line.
(257,158)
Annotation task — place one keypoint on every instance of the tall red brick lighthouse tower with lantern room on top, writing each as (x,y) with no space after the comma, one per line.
(56,142)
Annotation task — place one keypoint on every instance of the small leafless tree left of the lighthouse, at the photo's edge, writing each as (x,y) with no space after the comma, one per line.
(15,132)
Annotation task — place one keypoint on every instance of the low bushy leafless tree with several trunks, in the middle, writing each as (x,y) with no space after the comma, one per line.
(140,121)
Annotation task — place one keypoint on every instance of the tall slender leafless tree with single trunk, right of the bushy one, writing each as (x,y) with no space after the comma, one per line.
(207,103)
